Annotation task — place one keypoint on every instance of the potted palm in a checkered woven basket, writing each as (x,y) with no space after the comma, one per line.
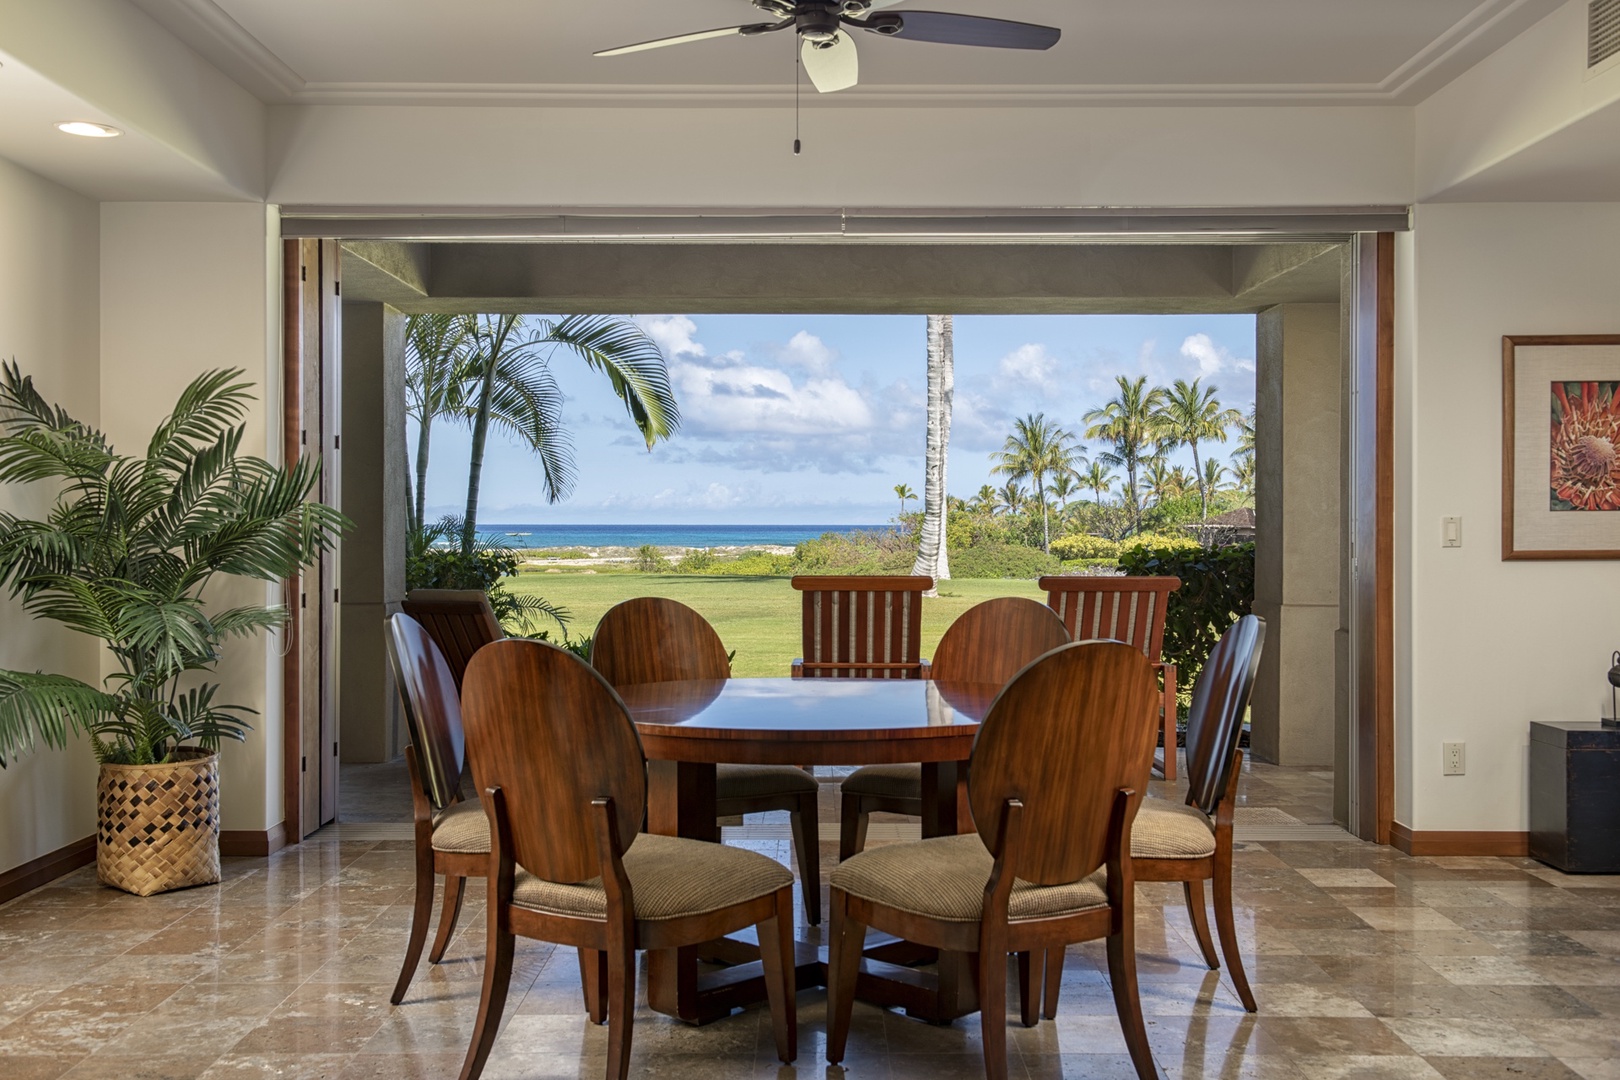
(127,555)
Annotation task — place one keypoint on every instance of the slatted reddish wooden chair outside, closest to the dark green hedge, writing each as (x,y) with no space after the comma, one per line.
(1123,610)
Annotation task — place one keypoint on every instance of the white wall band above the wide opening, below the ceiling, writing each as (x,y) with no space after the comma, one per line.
(887,158)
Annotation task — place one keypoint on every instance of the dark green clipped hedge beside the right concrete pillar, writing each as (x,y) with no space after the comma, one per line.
(1217,589)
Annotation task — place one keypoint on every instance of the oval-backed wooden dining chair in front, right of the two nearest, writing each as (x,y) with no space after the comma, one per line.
(1059,772)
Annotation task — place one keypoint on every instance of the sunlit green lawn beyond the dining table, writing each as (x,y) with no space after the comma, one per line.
(759,618)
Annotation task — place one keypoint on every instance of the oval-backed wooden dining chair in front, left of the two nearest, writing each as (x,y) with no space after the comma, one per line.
(565,786)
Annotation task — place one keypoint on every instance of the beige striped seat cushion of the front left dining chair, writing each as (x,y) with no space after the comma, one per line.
(670,878)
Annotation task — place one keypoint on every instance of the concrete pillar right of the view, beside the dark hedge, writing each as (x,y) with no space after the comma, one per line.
(1298,532)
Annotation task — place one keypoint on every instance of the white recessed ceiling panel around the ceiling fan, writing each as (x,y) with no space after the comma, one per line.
(540,51)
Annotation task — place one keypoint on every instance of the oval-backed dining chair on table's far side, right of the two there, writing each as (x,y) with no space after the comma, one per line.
(989,644)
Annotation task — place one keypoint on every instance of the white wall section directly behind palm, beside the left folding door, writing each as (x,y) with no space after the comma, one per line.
(187,287)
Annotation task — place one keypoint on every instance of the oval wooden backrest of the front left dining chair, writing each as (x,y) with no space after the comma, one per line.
(553,736)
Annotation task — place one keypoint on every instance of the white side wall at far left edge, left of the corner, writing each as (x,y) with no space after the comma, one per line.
(49,326)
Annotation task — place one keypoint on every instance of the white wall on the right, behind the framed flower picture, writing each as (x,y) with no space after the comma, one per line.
(1486,647)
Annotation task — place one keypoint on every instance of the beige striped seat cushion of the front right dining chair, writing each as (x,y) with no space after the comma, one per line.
(945,878)
